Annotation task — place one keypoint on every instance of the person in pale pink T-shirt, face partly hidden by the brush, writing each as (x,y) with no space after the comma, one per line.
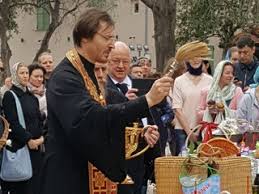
(186,95)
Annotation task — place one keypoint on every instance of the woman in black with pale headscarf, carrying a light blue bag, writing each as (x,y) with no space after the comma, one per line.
(32,135)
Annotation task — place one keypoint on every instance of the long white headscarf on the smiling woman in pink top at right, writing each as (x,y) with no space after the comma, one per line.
(224,94)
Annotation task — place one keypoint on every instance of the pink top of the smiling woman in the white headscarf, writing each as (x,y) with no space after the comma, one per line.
(203,101)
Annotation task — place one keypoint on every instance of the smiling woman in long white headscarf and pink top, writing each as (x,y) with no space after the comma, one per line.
(221,99)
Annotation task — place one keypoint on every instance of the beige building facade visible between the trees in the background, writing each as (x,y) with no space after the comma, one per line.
(134,25)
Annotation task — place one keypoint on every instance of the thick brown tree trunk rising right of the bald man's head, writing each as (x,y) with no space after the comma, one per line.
(164,14)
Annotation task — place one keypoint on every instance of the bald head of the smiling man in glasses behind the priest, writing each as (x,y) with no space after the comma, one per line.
(119,61)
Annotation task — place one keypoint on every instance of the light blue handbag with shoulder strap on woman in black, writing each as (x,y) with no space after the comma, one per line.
(16,166)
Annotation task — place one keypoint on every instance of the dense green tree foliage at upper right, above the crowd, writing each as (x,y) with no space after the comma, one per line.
(201,19)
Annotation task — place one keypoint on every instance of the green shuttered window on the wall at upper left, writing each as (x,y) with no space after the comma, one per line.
(43,18)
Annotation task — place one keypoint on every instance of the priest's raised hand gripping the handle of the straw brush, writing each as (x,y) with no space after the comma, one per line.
(159,90)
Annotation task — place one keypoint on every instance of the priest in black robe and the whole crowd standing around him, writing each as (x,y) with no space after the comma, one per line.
(76,111)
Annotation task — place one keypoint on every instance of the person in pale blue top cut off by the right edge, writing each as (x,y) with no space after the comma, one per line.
(249,106)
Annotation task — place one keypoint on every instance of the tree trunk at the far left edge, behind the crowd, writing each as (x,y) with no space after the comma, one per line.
(6,54)
